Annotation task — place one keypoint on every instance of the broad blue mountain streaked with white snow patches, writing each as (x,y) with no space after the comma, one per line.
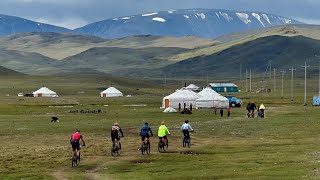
(208,23)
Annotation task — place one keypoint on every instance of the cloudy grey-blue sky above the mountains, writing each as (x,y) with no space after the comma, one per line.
(76,13)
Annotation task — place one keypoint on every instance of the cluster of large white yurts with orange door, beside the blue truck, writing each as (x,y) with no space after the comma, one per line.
(207,98)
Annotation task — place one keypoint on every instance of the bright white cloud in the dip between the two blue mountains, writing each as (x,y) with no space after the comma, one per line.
(70,23)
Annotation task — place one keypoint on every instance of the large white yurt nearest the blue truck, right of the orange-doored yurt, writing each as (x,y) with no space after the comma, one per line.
(211,99)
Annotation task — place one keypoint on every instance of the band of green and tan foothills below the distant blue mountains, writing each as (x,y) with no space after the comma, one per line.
(153,56)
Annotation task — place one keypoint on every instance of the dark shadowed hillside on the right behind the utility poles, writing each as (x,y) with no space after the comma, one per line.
(283,52)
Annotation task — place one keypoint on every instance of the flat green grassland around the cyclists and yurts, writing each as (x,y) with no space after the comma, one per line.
(284,145)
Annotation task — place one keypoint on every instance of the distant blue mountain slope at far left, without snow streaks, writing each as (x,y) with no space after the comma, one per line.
(12,25)
